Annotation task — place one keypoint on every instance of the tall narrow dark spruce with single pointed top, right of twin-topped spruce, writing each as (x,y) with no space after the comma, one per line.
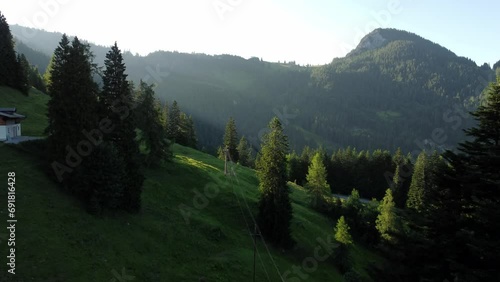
(117,104)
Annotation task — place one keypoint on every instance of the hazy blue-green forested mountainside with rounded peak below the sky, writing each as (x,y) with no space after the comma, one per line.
(395,89)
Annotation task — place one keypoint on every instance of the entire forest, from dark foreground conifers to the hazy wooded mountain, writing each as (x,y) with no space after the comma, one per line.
(382,125)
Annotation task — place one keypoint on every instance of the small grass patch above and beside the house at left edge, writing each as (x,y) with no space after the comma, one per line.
(34,107)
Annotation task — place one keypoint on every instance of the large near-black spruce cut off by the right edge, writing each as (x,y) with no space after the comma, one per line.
(469,196)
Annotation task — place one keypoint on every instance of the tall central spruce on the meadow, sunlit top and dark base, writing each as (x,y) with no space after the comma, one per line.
(275,209)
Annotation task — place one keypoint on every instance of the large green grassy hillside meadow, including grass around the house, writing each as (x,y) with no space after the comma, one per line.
(194,223)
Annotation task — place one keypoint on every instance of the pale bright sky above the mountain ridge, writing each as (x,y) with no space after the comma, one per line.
(313,31)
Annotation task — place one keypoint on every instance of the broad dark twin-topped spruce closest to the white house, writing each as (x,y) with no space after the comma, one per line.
(72,111)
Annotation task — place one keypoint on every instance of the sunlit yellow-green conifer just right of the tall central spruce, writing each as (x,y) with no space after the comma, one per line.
(316,181)
